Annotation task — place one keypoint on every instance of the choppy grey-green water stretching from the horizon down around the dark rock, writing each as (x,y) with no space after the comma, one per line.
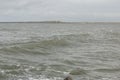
(49,51)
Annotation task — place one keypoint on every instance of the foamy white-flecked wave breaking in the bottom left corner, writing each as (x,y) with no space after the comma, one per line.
(24,72)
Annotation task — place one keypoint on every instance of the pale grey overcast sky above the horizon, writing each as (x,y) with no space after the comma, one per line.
(59,10)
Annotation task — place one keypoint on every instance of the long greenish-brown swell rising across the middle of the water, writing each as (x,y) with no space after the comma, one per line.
(45,46)
